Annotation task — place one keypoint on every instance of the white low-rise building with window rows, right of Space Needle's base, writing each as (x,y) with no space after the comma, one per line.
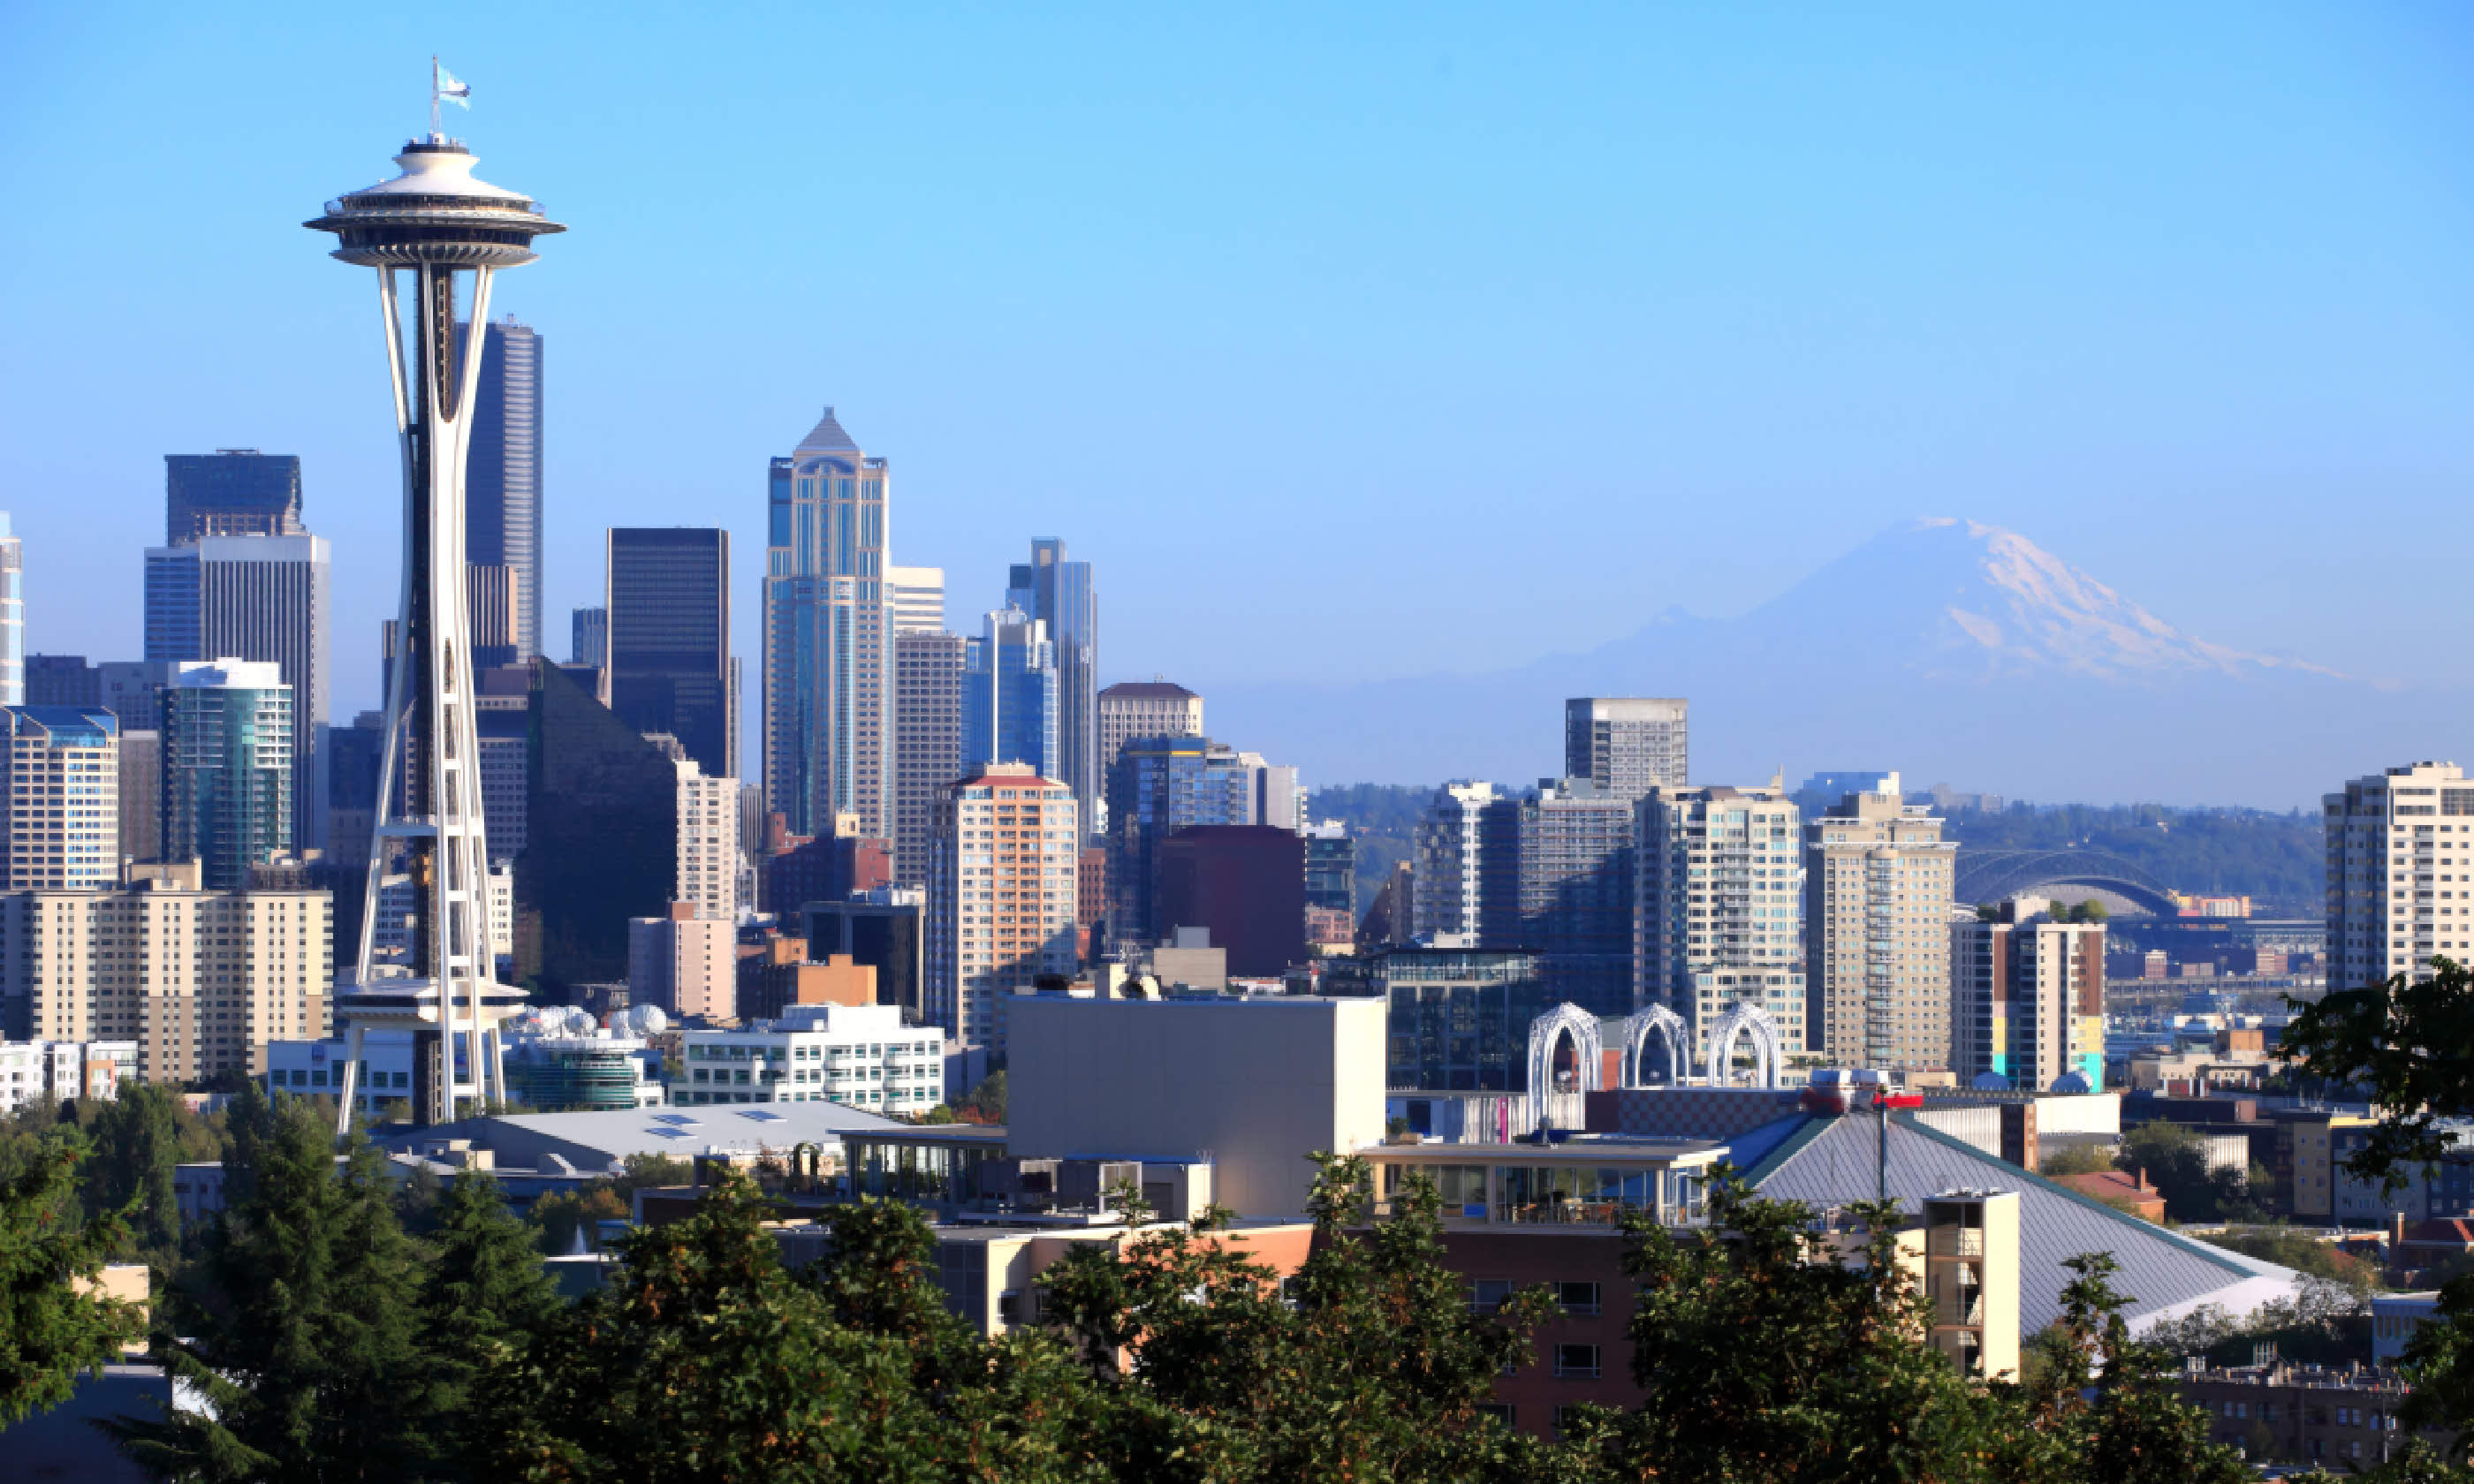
(855,1055)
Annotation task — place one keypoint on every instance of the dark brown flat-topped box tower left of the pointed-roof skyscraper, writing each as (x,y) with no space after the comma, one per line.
(669,634)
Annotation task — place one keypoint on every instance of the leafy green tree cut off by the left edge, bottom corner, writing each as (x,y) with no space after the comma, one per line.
(51,1322)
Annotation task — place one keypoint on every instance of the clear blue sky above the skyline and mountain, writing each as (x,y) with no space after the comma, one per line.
(1347,340)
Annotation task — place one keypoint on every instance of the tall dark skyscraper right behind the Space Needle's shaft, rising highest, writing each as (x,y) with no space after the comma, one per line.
(503,484)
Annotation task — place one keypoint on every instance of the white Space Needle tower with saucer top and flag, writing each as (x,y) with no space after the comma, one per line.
(437,236)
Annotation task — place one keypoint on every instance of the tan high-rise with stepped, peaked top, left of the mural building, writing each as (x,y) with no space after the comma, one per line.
(1877,934)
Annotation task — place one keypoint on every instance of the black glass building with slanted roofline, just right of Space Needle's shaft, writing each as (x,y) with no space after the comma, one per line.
(600,837)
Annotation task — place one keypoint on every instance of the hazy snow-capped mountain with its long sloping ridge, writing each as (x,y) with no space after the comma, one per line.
(1943,647)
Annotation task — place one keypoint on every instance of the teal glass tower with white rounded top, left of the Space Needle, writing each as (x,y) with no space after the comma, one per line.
(229,768)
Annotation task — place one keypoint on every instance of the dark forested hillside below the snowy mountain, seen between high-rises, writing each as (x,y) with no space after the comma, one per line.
(2253,852)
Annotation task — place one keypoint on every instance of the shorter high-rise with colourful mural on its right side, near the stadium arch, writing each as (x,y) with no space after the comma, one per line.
(2027,1000)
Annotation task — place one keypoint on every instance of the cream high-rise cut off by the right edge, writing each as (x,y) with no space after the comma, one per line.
(2386,837)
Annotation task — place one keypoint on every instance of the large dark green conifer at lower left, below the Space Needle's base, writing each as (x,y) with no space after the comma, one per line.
(298,1320)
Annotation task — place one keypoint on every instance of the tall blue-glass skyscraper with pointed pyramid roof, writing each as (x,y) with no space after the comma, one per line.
(828,637)
